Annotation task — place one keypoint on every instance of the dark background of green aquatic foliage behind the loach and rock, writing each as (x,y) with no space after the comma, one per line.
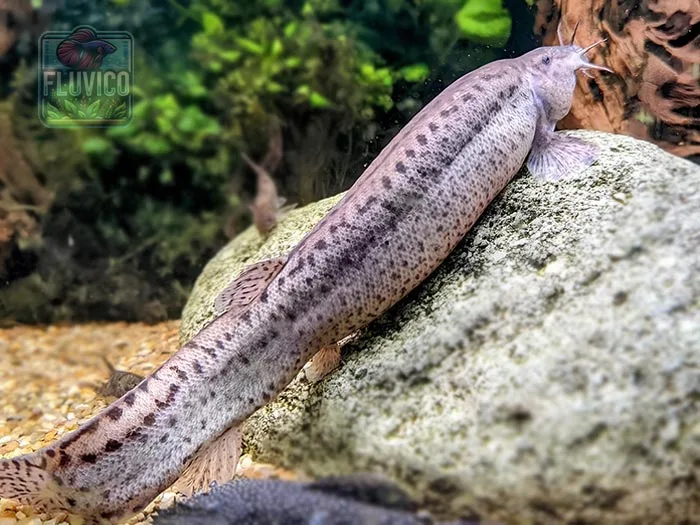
(139,209)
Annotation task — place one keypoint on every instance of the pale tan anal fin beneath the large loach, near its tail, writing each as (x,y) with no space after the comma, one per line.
(215,462)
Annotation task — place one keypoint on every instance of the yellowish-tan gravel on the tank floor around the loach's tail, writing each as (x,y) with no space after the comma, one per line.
(48,388)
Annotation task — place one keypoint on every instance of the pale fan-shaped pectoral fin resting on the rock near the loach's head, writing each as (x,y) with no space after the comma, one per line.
(559,155)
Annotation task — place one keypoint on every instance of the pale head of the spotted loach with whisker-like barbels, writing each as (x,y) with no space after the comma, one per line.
(551,72)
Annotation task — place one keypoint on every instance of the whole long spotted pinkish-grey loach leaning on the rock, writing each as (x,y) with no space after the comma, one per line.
(398,222)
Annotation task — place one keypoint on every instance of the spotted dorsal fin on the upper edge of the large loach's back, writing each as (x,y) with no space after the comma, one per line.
(245,288)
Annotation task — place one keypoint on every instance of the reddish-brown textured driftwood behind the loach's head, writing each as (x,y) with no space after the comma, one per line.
(654,47)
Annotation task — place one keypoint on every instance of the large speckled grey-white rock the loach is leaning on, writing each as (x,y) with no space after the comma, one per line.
(548,372)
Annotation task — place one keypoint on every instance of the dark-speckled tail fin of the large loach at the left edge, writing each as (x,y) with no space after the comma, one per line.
(28,480)
